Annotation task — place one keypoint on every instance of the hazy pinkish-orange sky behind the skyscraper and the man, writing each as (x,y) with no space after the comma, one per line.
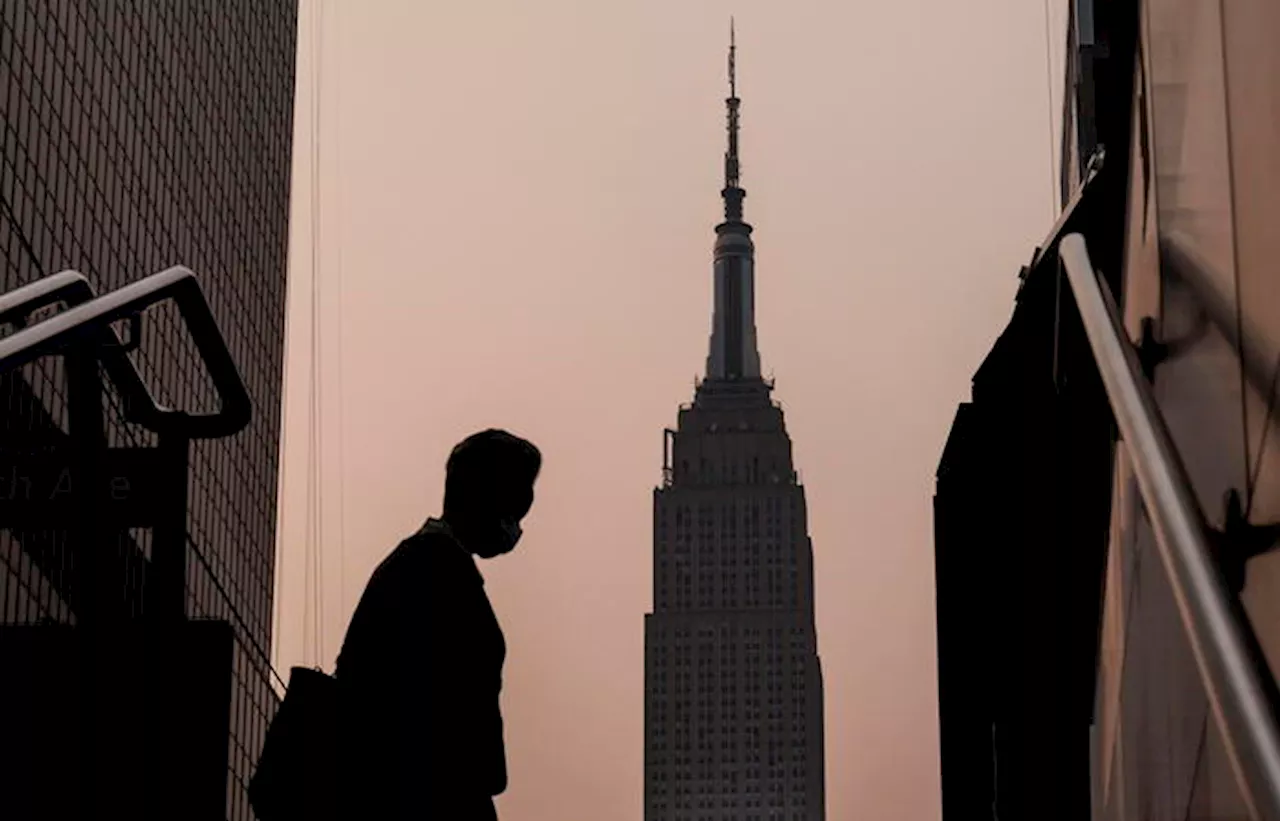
(515,218)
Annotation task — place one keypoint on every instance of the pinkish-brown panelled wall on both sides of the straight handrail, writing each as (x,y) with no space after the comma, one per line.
(1200,266)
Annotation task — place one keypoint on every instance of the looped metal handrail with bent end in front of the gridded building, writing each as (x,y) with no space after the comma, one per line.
(90,314)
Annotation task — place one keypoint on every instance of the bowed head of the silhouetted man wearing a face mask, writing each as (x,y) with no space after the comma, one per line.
(490,489)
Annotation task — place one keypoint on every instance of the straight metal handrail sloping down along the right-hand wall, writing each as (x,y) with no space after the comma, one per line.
(1232,682)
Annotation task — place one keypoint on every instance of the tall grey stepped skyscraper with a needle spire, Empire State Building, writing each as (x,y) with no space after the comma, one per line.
(734,700)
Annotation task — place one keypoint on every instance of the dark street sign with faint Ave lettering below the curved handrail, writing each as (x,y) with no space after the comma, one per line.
(45,490)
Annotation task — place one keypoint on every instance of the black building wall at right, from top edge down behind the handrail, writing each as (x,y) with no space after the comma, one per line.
(1025,491)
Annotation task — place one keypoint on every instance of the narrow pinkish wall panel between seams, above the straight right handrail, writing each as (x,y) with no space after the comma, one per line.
(1200,389)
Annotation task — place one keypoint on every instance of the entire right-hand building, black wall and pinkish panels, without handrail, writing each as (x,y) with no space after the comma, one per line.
(1069,686)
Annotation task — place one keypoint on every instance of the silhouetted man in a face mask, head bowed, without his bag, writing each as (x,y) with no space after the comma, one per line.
(420,669)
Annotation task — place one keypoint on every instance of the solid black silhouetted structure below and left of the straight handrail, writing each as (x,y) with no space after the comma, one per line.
(1021,530)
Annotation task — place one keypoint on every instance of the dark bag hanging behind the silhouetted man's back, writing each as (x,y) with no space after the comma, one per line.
(298,774)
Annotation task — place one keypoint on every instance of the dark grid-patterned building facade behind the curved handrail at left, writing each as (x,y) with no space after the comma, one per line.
(134,138)
